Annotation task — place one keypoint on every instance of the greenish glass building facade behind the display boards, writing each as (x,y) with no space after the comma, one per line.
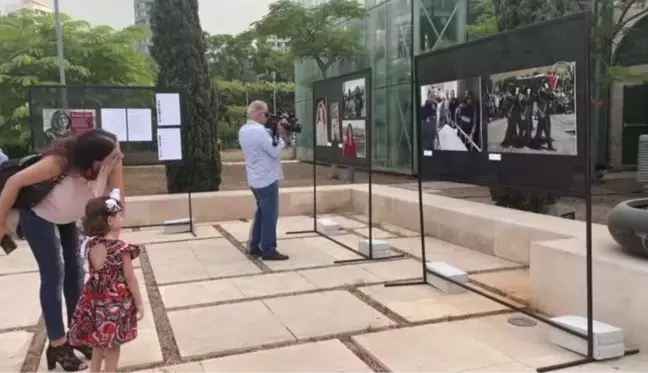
(392,34)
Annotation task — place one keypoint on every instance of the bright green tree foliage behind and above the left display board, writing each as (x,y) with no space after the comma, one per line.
(93,56)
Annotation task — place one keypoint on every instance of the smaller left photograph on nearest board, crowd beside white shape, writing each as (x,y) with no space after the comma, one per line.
(450,115)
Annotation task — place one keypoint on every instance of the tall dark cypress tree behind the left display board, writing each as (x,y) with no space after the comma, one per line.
(180,52)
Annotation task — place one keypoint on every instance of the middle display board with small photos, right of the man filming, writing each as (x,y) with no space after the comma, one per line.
(343,119)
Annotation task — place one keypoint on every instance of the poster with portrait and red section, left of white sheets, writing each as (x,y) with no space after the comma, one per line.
(62,122)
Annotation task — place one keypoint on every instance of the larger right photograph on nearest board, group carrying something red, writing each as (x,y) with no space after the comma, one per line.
(533,110)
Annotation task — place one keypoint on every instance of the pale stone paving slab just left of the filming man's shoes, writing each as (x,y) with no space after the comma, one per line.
(197,260)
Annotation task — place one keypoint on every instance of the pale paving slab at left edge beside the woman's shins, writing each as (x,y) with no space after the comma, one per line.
(20,292)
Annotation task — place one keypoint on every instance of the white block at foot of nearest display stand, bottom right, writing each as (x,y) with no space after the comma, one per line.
(608,340)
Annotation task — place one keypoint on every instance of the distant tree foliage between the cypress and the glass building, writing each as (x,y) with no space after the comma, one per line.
(247,57)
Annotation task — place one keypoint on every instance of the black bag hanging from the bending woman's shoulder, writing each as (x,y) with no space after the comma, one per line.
(30,195)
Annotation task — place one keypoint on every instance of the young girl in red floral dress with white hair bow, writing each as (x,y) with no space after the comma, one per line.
(111,304)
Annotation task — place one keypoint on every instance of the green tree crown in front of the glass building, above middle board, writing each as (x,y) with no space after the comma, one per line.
(315,32)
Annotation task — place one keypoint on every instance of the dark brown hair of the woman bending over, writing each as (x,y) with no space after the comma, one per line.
(82,151)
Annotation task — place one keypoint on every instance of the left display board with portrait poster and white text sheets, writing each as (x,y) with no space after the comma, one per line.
(146,121)
